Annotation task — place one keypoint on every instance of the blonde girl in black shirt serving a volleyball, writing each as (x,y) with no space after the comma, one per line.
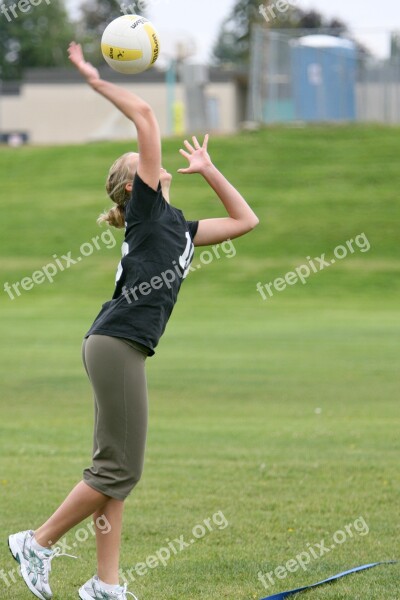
(158,249)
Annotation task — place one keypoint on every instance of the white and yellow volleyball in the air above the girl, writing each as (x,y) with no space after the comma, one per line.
(130,44)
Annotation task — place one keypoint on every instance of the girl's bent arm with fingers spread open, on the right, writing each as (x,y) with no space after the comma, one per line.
(241,218)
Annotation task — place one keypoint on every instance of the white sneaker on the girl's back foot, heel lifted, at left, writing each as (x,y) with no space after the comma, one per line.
(35,564)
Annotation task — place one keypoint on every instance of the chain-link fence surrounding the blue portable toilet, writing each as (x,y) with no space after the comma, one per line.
(303,75)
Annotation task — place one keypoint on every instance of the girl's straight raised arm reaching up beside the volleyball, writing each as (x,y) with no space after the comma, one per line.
(135,109)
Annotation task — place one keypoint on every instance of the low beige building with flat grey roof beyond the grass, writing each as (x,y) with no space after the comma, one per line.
(55,106)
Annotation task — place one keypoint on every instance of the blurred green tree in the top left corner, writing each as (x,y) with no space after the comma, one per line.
(36,38)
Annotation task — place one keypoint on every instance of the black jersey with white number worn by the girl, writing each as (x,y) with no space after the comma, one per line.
(157,252)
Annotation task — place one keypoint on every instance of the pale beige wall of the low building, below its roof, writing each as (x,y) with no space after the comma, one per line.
(70,112)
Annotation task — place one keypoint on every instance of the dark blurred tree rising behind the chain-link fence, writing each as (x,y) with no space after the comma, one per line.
(233,43)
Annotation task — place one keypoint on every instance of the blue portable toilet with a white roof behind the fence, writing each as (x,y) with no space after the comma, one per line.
(324,77)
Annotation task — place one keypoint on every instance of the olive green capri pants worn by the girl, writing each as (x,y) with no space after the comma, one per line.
(117,373)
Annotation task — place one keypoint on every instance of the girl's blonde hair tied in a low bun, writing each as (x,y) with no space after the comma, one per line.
(121,173)
